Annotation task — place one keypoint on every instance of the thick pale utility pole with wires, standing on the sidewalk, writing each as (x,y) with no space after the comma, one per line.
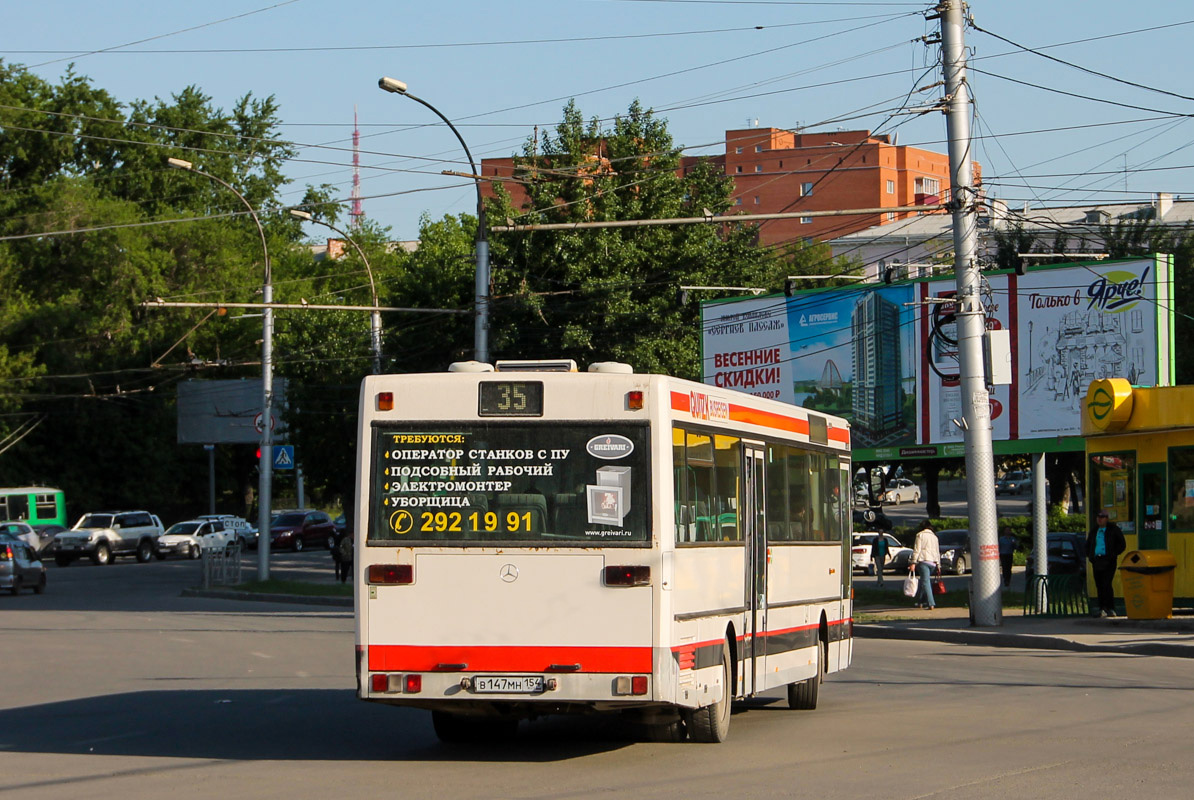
(987,602)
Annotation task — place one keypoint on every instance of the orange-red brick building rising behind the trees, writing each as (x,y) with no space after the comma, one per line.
(780,171)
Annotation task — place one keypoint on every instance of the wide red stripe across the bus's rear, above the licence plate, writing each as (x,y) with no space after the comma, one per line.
(502,659)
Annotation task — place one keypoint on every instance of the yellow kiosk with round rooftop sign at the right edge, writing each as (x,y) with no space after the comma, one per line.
(1141,470)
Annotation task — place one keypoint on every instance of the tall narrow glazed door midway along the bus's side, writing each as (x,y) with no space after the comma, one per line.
(755,537)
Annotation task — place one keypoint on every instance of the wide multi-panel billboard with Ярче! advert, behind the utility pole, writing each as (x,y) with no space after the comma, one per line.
(885,356)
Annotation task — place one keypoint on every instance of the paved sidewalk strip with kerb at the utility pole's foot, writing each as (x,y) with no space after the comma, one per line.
(1173,638)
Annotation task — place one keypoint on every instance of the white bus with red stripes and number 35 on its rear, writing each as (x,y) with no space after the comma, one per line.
(545,543)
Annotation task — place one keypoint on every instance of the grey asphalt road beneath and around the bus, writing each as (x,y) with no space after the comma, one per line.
(116,687)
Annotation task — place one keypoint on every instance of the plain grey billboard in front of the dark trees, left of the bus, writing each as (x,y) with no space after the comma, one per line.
(226,413)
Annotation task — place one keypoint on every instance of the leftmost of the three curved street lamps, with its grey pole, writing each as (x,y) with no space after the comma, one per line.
(266,461)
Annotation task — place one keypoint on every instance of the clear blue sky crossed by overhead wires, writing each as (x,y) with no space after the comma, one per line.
(498,69)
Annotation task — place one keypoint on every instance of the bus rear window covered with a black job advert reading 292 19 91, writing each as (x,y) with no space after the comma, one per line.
(512,484)
